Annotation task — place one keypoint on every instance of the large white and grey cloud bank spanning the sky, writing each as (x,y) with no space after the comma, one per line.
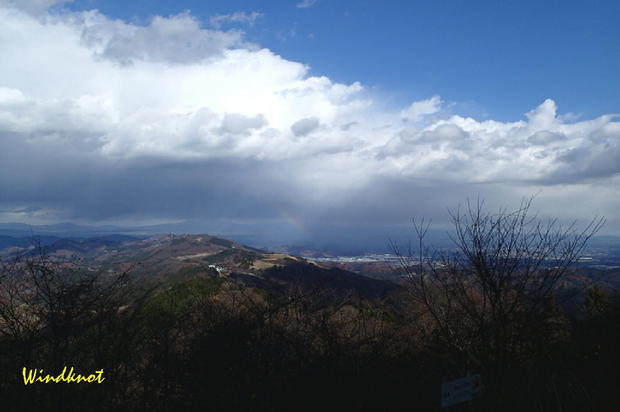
(104,120)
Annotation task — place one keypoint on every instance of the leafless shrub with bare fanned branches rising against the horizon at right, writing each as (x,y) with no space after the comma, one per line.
(490,299)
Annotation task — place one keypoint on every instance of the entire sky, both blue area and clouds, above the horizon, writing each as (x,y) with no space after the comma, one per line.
(305,119)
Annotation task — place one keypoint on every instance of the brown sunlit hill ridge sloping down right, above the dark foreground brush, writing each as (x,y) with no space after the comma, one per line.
(167,259)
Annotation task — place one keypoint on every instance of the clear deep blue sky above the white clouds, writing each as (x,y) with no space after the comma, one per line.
(489,58)
